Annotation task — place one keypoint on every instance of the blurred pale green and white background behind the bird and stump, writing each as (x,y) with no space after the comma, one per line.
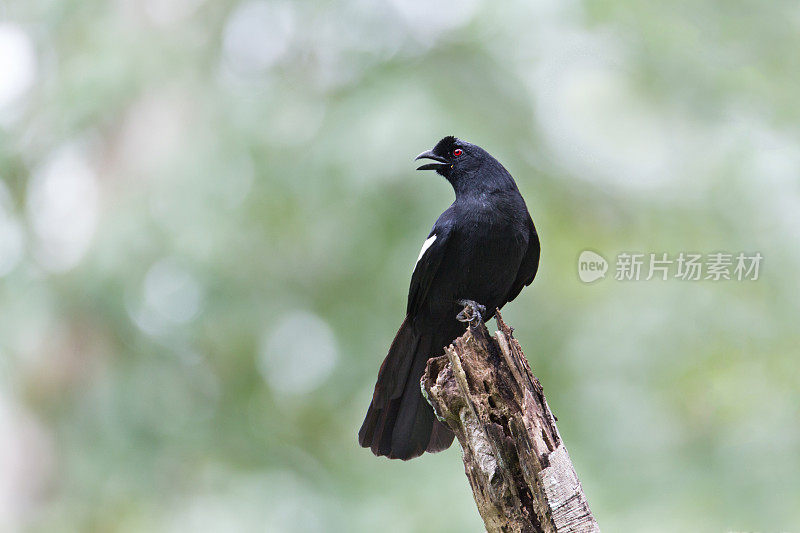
(210,217)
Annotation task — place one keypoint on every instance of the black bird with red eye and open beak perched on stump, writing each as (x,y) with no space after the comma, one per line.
(483,248)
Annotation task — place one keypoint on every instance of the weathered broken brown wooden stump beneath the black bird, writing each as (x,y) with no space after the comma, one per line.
(520,472)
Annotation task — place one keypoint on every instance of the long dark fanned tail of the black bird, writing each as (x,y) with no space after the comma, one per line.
(399,423)
